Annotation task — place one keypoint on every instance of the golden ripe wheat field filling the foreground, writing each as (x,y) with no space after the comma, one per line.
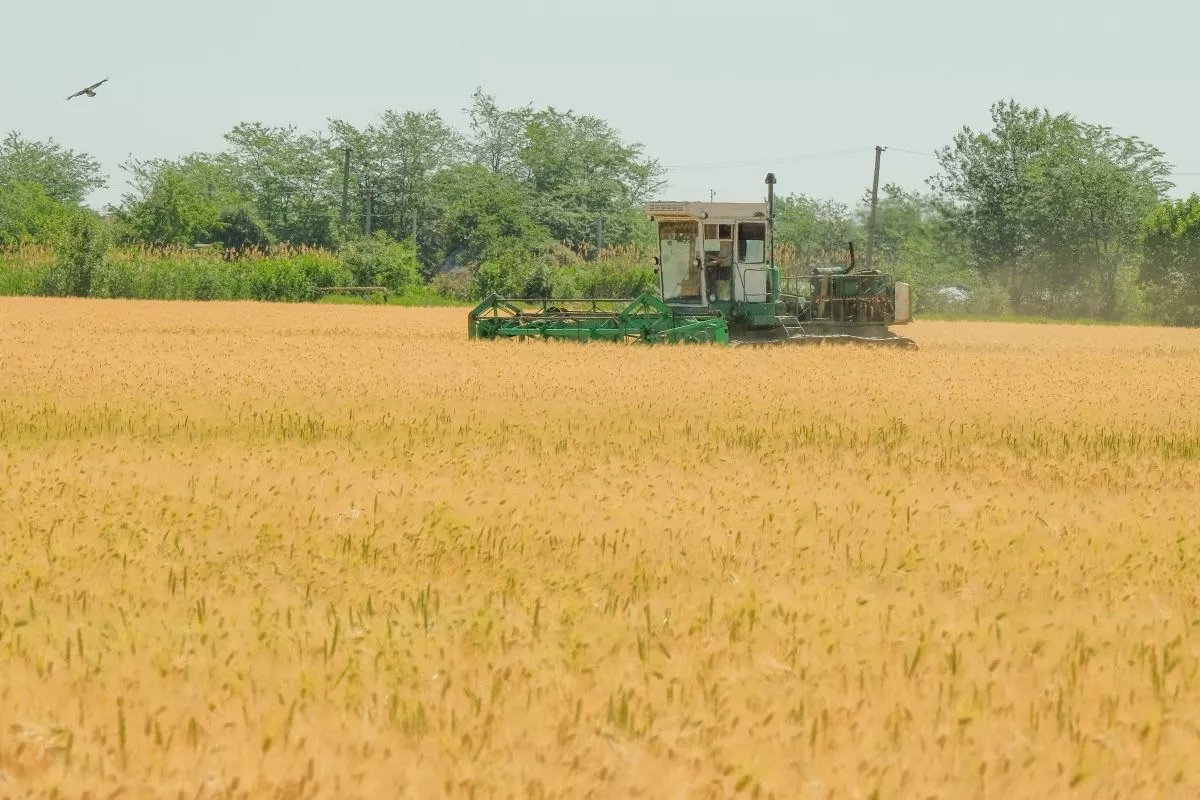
(343,552)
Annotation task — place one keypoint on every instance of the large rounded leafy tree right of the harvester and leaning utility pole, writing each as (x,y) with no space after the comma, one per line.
(1052,207)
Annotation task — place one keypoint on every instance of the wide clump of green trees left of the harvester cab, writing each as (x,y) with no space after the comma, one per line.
(519,181)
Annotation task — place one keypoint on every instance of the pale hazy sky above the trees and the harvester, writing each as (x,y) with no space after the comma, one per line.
(703,85)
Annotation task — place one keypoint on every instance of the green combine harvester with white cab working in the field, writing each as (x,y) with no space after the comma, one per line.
(718,284)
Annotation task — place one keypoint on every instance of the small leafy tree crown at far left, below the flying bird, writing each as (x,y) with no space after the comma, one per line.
(67,176)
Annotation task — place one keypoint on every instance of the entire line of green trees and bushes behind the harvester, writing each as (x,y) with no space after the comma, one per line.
(1042,214)
